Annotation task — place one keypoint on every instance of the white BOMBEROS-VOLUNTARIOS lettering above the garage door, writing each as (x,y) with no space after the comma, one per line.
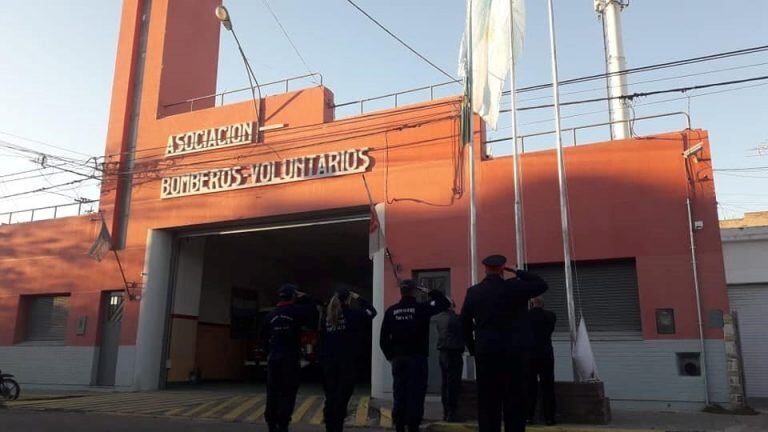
(308,167)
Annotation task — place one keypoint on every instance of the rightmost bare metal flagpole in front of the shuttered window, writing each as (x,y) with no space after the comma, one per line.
(563,190)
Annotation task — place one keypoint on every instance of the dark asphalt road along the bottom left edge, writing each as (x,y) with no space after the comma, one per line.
(51,421)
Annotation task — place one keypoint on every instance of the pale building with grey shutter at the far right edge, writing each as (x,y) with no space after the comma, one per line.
(745,250)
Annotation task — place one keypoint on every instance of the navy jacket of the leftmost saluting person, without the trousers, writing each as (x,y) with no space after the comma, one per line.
(281,329)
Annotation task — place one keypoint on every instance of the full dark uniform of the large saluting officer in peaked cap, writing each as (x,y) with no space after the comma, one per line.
(498,334)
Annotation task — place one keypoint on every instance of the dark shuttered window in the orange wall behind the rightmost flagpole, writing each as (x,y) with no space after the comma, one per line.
(605,291)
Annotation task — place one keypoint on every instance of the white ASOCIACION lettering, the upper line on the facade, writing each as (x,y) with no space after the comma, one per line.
(208,139)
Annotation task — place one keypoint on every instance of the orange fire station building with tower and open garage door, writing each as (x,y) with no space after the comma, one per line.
(209,225)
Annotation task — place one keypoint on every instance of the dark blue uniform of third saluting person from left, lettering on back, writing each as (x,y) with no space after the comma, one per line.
(405,342)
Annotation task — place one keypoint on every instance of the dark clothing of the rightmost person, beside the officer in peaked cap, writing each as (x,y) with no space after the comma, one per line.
(542,369)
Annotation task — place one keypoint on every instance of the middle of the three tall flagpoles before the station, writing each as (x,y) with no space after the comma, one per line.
(519,239)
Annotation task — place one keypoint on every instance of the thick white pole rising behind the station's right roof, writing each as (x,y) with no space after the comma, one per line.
(609,12)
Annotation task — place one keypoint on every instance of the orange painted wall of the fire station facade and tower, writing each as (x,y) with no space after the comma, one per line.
(627,197)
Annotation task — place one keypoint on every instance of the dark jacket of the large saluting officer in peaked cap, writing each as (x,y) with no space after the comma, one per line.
(495,313)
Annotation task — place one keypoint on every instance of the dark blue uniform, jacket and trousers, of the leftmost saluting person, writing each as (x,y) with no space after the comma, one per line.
(280,332)
